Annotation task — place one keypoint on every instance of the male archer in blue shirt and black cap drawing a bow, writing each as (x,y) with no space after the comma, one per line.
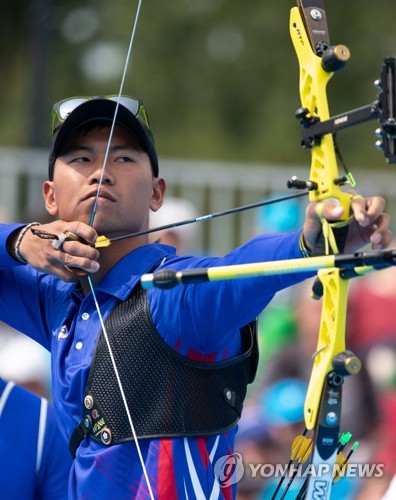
(184,356)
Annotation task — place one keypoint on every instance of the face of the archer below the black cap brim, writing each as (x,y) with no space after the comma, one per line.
(128,190)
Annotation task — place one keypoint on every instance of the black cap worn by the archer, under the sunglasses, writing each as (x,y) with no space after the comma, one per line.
(103,109)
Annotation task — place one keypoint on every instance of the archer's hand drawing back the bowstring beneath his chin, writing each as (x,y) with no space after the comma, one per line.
(71,261)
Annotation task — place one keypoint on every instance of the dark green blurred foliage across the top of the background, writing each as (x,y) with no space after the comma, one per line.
(220,77)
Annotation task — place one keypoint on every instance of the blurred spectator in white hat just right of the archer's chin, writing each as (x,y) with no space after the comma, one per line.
(184,238)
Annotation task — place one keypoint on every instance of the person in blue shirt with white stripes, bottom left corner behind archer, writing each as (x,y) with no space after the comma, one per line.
(35,460)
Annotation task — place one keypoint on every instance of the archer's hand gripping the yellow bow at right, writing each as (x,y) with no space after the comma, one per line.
(370,224)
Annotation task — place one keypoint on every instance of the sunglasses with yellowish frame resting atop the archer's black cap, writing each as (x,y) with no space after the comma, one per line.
(62,109)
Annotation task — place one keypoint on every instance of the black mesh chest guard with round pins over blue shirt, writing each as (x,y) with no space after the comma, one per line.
(168,395)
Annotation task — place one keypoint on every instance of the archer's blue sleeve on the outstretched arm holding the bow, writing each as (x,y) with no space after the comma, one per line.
(210,314)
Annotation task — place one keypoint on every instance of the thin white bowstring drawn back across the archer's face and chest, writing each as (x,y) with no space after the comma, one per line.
(89,278)
